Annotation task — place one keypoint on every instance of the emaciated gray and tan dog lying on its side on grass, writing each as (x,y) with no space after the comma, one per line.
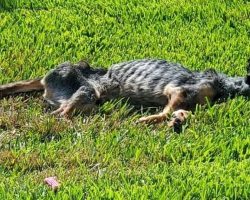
(147,82)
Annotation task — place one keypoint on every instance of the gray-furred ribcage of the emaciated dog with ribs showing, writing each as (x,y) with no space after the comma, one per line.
(143,81)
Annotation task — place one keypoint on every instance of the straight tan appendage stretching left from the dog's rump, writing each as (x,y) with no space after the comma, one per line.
(21,86)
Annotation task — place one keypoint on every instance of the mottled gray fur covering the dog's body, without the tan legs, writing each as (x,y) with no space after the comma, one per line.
(141,81)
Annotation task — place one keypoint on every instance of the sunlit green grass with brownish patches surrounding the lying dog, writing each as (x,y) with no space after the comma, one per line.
(108,155)
